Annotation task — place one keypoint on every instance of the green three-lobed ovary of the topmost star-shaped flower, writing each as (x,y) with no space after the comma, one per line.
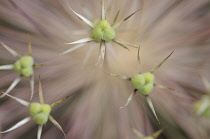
(103,31)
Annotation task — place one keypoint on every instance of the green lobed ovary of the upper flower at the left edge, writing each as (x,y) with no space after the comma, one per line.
(24,66)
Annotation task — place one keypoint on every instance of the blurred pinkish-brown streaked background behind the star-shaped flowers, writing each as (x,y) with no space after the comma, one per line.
(93,110)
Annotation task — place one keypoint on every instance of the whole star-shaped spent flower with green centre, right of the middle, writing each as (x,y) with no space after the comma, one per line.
(144,82)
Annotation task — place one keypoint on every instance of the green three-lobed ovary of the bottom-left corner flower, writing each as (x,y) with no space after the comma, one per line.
(40,112)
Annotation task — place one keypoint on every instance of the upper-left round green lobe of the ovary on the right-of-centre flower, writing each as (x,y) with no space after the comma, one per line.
(138,81)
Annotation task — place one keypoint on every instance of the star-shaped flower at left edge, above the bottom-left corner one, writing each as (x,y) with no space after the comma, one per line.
(23,66)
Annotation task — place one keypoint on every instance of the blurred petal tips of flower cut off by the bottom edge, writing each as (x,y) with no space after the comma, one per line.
(153,136)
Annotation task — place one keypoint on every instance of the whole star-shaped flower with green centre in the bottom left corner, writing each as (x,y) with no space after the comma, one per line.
(39,113)
